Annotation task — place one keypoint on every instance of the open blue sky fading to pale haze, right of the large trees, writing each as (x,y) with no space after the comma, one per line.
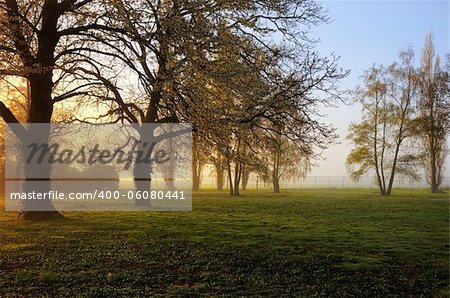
(366,32)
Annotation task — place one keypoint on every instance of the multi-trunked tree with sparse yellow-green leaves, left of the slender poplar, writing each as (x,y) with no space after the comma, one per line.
(381,138)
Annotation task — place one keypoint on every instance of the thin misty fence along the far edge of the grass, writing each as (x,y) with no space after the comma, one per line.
(327,182)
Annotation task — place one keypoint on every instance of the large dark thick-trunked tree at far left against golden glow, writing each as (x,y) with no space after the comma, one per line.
(37,43)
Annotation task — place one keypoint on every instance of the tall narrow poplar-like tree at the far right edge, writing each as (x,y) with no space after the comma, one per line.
(433,114)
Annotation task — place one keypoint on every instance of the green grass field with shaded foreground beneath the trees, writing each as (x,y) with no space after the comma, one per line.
(298,243)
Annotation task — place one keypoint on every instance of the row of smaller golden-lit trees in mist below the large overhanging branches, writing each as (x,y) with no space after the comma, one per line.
(267,154)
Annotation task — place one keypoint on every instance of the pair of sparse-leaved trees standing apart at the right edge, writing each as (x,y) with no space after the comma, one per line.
(406,120)
